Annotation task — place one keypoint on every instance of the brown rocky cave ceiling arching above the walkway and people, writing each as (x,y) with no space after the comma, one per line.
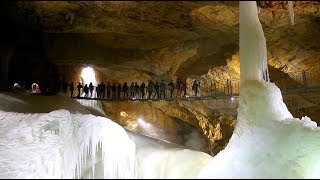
(164,39)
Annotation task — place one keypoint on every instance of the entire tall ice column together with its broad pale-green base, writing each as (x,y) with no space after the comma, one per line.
(267,142)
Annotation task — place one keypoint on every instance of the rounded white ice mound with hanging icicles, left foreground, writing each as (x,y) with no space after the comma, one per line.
(63,145)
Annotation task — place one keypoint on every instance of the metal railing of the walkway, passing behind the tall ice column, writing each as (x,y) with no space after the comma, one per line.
(294,82)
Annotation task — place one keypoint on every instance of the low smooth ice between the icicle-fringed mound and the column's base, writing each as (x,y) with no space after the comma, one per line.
(159,160)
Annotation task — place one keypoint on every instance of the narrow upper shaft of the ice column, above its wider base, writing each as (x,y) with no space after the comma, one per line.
(252,41)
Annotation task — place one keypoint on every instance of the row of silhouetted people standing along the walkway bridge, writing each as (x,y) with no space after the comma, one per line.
(117,92)
